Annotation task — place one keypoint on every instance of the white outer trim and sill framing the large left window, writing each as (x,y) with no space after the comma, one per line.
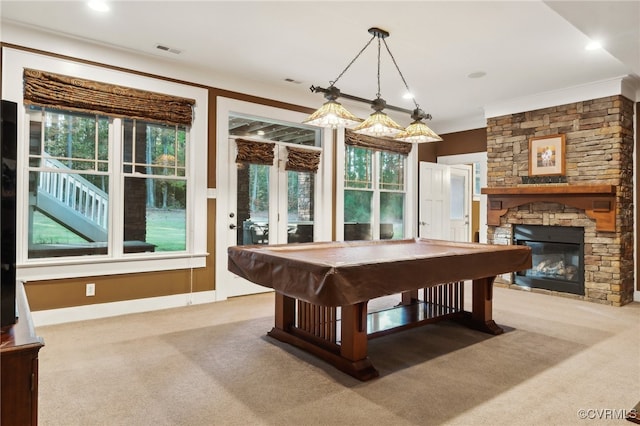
(14,61)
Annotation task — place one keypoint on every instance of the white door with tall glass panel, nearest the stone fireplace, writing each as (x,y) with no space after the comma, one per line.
(461,197)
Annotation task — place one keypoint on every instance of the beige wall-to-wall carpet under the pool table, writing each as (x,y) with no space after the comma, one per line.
(214,365)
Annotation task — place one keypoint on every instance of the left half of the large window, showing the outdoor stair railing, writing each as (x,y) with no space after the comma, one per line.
(68,183)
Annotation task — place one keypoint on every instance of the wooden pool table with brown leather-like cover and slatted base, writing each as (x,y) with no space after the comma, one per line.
(322,290)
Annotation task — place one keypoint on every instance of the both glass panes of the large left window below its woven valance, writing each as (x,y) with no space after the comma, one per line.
(75,199)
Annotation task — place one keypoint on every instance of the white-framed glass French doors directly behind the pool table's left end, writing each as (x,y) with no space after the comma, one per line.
(260,204)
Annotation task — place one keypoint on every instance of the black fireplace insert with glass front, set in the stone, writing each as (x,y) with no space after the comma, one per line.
(557,257)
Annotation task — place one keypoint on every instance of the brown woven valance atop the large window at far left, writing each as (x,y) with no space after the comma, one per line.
(47,89)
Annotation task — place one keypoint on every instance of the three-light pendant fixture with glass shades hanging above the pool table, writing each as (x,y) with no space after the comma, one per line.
(332,114)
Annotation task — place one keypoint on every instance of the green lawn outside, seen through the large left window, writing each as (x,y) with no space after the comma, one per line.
(165,229)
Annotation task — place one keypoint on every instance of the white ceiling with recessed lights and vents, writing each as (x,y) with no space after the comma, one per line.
(522,48)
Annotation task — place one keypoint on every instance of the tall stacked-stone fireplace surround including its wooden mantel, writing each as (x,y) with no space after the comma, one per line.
(599,163)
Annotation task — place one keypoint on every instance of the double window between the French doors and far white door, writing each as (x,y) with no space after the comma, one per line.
(374,194)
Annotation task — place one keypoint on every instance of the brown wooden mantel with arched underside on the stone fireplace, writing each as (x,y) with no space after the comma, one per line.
(598,201)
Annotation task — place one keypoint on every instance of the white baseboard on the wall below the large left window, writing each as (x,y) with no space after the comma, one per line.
(104,310)
